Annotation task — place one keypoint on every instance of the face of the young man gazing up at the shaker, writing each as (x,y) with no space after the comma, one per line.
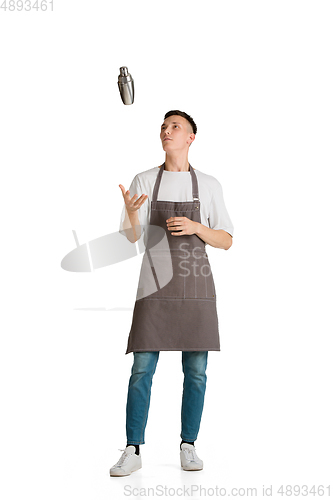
(175,134)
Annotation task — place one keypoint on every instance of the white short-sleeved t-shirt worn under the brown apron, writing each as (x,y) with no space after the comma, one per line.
(177,186)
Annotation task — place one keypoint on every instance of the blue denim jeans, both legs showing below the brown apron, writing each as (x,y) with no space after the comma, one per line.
(194,365)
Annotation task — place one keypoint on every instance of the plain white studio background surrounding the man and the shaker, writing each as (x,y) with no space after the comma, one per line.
(256,76)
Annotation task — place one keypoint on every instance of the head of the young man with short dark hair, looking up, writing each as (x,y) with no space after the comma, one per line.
(178,129)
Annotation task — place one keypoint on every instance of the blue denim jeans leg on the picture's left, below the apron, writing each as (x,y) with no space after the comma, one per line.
(138,397)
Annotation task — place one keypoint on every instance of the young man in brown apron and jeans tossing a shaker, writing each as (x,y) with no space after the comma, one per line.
(181,314)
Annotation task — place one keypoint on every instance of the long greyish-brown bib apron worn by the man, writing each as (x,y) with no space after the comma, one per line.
(181,315)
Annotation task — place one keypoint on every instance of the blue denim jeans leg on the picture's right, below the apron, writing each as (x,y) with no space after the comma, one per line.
(194,368)
